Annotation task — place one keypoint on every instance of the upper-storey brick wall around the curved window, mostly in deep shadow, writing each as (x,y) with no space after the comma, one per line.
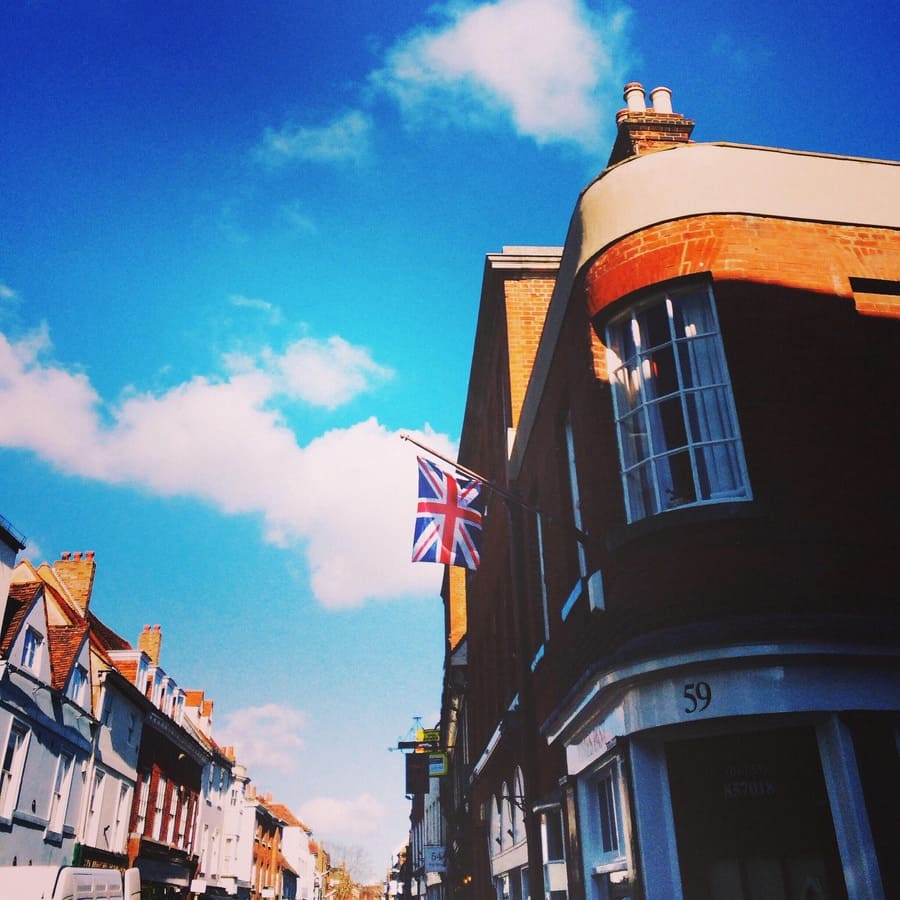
(815,389)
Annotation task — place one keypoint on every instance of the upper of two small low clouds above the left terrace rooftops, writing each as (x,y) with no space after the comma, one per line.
(265,737)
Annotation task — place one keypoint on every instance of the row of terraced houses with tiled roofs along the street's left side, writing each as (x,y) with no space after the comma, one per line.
(108,762)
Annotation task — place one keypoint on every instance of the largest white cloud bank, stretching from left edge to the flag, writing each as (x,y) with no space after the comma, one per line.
(347,498)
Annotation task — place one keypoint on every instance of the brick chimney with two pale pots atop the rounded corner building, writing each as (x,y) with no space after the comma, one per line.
(644,129)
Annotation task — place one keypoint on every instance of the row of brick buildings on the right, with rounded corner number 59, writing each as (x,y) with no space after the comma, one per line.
(681,674)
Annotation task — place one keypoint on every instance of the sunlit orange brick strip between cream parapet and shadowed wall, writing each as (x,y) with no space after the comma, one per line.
(810,256)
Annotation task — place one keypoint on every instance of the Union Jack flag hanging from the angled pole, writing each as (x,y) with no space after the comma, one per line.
(448,518)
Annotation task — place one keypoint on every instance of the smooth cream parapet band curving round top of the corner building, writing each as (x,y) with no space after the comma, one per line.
(702,179)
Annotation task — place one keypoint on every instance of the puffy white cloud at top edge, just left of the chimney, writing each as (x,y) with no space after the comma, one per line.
(545,64)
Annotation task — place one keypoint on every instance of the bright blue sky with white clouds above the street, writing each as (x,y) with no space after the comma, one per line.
(241,249)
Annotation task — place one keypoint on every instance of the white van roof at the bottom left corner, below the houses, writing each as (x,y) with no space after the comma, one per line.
(68,883)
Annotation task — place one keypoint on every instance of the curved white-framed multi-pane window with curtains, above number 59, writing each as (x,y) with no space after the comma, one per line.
(679,443)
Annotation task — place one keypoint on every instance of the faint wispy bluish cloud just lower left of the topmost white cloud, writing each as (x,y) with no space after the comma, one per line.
(344,139)
